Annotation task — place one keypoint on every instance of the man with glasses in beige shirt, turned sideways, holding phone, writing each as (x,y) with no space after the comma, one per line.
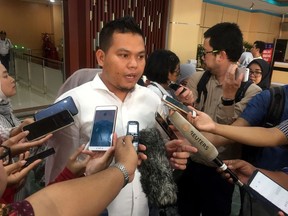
(200,185)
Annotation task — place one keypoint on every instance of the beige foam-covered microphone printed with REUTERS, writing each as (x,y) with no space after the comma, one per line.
(204,146)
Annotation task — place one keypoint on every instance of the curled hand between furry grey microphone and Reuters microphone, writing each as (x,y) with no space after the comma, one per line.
(178,151)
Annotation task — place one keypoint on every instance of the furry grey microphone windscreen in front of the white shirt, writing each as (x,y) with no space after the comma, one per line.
(156,173)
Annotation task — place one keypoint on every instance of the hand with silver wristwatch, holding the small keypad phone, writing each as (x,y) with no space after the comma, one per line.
(125,154)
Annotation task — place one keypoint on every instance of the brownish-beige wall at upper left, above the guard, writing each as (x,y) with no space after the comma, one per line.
(24,22)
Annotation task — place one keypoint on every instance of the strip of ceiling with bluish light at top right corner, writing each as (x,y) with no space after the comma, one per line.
(274,7)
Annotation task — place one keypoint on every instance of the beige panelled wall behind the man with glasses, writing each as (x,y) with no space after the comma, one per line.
(190,19)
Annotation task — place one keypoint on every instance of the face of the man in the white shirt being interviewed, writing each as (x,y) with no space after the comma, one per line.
(123,63)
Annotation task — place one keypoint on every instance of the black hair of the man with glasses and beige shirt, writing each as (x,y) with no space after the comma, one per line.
(227,37)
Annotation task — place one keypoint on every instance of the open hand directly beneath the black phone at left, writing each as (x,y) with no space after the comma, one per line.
(18,148)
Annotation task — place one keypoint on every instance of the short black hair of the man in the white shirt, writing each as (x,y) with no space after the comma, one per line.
(125,24)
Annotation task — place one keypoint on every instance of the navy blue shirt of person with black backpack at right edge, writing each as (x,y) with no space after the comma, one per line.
(271,158)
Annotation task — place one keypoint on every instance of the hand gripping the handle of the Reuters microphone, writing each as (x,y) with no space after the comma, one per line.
(242,169)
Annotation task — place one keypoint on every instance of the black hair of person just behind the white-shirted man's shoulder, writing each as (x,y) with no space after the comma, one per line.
(159,64)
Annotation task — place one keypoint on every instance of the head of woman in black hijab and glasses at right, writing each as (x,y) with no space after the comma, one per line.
(259,73)
